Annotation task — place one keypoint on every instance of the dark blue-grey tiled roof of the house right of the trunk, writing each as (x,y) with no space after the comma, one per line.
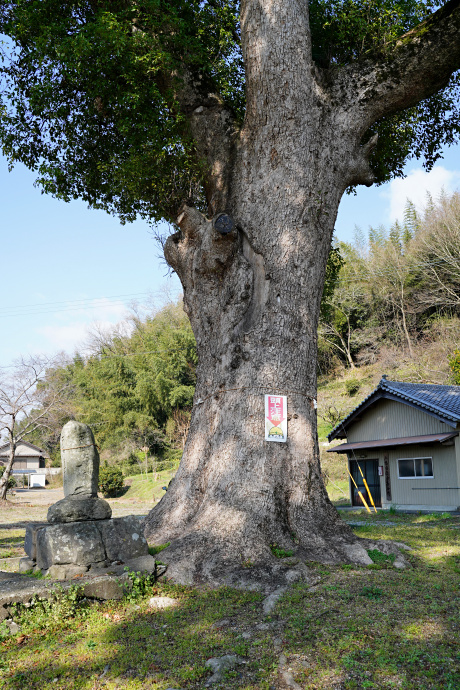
(443,401)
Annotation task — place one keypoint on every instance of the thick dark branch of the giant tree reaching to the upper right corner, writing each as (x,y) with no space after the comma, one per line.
(420,64)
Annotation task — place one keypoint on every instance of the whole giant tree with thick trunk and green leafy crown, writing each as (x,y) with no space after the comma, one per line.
(265,111)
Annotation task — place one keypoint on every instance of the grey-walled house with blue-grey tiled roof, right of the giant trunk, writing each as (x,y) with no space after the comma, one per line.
(405,439)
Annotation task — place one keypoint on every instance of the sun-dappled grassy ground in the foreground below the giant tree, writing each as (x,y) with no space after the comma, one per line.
(373,627)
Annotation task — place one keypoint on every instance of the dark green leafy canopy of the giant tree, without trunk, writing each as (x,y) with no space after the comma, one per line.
(90,96)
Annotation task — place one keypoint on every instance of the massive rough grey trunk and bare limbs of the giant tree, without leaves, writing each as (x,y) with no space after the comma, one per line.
(253,295)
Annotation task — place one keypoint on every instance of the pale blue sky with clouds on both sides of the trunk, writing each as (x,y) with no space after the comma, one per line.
(65,267)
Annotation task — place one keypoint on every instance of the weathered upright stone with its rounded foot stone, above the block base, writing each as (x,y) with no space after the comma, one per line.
(80,466)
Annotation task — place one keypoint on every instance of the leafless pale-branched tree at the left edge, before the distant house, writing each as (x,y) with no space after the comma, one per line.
(25,406)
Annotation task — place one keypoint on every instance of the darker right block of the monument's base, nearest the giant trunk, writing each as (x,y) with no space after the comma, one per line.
(123,538)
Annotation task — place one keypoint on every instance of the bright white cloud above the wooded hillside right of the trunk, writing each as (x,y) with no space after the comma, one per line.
(415,187)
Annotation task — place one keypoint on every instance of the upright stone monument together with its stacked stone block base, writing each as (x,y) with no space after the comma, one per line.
(82,537)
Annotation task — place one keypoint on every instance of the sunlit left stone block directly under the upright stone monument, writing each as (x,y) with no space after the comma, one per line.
(77,543)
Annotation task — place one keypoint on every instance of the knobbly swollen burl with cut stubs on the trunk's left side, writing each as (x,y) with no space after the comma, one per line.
(221,278)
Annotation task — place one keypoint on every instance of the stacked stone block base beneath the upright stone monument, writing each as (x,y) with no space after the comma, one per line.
(67,550)
